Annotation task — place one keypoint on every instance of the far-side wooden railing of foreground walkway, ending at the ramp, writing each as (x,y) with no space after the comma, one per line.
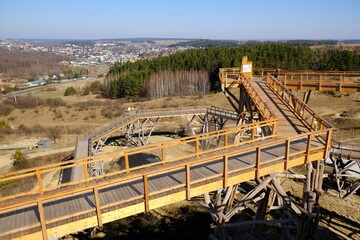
(198,145)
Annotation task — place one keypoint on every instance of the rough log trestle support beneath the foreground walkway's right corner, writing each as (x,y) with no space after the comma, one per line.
(295,220)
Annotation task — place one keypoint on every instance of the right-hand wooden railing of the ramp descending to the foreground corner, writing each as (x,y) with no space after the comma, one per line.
(309,116)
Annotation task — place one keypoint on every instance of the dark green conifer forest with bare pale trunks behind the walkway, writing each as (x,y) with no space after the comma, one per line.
(132,79)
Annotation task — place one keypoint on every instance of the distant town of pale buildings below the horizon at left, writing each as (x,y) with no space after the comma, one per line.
(97,52)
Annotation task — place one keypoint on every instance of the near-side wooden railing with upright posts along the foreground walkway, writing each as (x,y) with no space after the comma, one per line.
(94,187)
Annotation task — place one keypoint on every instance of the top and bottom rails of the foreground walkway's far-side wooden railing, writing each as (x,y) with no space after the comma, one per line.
(125,154)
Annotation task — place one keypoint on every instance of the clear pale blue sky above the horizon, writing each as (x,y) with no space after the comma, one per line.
(210,19)
